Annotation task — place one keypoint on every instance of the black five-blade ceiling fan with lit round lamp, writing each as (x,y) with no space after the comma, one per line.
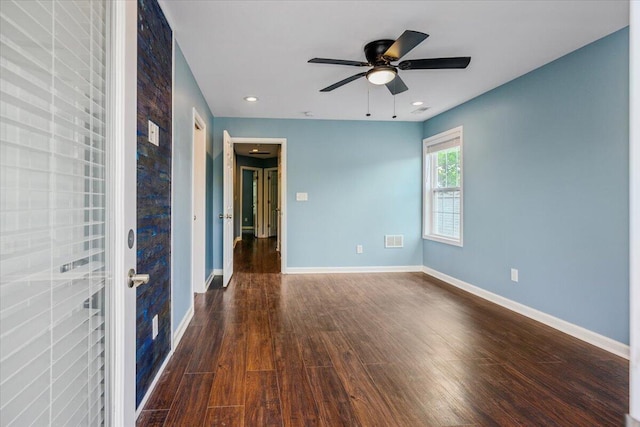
(381,53)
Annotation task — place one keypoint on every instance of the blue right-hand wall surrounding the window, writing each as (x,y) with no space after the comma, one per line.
(546,189)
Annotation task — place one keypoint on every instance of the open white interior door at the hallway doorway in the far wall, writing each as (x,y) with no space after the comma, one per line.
(227,213)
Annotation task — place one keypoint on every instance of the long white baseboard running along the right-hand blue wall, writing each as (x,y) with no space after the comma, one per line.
(576,331)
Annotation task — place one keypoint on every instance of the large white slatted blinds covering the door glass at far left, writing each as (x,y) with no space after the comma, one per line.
(52,214)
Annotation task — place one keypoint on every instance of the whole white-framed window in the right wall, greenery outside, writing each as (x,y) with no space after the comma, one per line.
(442,157)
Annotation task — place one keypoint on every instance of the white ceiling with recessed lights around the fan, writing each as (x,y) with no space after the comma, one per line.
(261,48)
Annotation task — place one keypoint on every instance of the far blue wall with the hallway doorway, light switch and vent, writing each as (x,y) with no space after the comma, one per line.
(363,180)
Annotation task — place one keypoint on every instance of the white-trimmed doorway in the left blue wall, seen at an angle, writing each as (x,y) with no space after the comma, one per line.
(198,195)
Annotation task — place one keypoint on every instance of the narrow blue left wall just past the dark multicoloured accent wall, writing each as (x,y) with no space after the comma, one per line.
(187,95)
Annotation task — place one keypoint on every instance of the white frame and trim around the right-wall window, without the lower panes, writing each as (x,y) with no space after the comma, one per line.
(427,188)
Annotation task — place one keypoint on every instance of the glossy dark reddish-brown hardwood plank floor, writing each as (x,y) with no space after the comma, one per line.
(397,349)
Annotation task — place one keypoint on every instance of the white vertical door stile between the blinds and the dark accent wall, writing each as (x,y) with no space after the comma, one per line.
(121,336)
